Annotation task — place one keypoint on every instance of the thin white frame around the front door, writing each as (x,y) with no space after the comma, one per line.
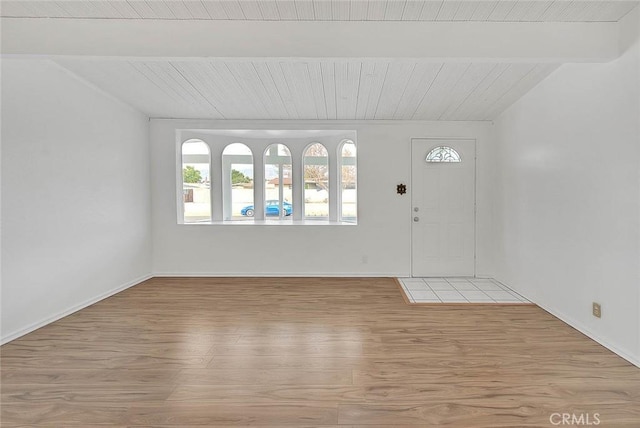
(475,195)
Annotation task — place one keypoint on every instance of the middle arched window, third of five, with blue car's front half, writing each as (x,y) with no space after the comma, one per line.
(278,186)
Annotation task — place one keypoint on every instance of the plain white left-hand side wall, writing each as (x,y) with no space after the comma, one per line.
(75,195)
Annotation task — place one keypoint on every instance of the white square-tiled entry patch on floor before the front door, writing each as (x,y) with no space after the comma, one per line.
(458,290)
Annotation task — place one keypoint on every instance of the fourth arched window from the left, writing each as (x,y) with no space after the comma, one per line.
(316,182)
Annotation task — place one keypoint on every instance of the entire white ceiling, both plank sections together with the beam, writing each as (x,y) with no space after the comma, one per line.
(467,60)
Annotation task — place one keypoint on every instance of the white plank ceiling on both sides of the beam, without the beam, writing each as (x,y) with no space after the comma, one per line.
(317,89)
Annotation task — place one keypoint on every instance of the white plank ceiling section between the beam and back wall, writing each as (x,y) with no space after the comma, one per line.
(315,90)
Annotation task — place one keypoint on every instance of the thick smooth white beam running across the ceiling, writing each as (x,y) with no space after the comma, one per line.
(450,41)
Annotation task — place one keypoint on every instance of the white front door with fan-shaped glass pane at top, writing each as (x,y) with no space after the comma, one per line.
(443,207)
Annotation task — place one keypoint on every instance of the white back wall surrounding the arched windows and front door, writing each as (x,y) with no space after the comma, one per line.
(378,245)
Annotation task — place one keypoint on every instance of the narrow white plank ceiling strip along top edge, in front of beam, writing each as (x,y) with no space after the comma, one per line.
(340,10)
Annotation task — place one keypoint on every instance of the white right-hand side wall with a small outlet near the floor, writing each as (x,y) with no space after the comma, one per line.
(568,196)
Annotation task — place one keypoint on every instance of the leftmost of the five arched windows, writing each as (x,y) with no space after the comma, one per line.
(196,182)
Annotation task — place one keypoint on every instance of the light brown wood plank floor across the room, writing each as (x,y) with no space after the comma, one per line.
(307,352)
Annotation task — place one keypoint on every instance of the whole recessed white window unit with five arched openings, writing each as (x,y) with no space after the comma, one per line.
(313,172)
